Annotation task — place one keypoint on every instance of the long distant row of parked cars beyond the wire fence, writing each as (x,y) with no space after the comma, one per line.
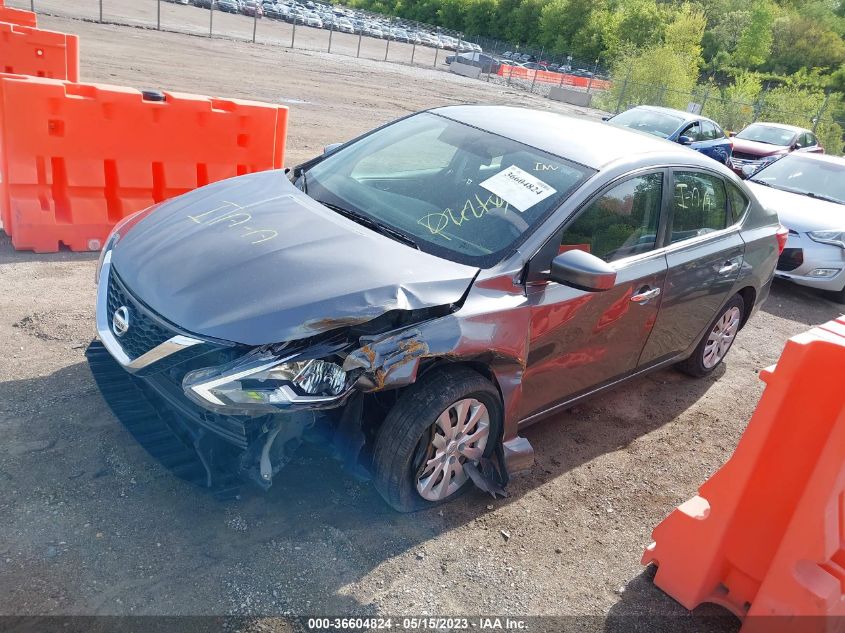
(339,18)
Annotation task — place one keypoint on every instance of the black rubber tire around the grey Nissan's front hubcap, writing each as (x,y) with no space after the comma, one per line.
(408,422)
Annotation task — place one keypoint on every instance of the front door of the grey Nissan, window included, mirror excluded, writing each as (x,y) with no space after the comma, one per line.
(580,340)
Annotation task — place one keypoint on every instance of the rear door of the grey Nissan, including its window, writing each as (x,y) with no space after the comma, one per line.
(704,255)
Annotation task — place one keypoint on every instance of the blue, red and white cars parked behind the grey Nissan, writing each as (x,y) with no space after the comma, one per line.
(787,170)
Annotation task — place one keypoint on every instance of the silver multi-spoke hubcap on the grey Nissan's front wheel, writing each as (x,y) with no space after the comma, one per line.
(458,435)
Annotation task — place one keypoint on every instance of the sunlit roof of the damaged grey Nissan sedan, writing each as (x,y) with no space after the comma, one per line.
(585,141)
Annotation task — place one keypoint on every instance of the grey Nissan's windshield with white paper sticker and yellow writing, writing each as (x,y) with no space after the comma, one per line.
(457,191)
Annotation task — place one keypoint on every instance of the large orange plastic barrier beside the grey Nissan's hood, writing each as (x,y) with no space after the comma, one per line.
(76,158)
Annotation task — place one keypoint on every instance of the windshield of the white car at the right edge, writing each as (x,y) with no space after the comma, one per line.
(814,178)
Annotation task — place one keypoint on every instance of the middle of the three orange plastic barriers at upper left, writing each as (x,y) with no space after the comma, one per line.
(25,50)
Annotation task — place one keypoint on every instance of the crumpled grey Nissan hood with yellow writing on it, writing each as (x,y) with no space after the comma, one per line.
(254,260)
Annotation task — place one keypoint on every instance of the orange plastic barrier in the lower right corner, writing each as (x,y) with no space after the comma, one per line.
(766,534)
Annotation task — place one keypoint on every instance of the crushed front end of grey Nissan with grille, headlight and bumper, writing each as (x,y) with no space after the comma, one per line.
(166,386)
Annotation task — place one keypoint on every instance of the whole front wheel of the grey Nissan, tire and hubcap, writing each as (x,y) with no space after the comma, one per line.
(451,417)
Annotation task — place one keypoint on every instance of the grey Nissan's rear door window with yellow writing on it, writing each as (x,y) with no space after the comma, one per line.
(699,205)
